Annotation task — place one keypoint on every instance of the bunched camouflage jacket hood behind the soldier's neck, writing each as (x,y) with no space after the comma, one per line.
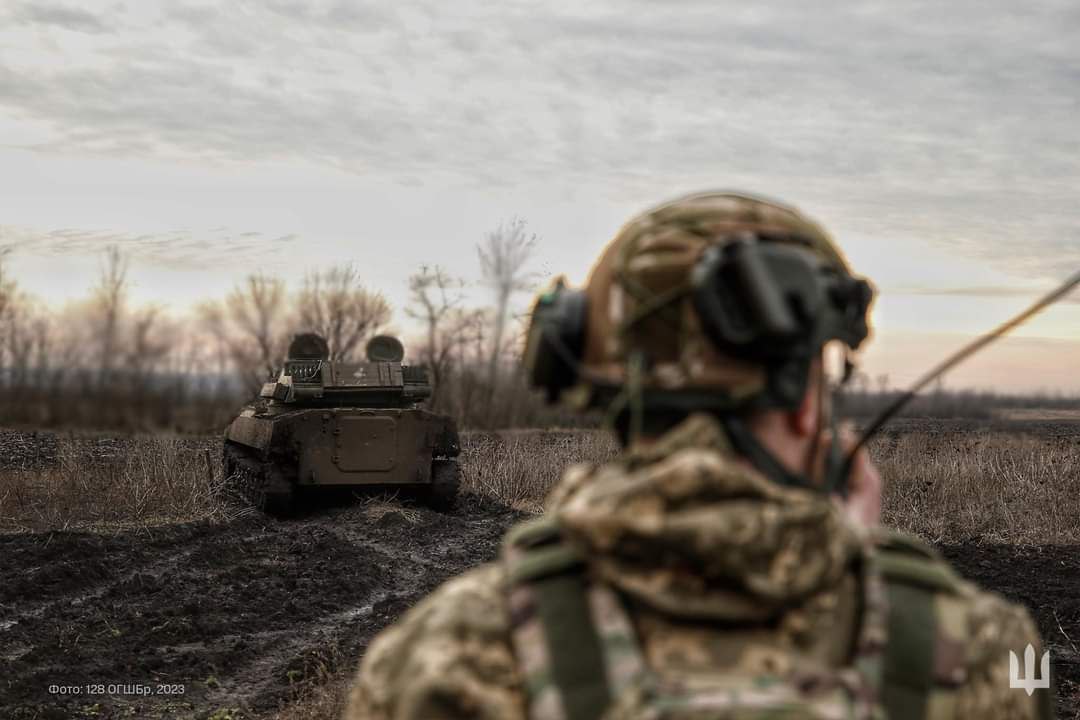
(690,529)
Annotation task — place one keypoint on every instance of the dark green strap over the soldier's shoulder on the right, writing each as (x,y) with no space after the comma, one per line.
(924,660)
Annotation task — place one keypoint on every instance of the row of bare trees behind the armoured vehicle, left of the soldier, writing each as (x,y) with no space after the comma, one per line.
(105,362)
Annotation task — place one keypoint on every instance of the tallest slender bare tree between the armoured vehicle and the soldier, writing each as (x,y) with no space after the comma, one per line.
(504,256)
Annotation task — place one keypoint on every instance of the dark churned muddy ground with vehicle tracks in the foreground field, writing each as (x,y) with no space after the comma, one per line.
(238,619)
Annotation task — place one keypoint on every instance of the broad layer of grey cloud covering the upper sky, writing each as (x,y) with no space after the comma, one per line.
(953,123)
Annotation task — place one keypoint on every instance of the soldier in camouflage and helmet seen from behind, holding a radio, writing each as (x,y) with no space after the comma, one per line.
(730,564)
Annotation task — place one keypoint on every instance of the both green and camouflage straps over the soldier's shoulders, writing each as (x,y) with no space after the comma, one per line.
(578,649)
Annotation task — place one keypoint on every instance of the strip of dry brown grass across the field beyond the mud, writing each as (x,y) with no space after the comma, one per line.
(948,487)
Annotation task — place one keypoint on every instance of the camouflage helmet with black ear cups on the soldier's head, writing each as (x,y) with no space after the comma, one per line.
(717,300)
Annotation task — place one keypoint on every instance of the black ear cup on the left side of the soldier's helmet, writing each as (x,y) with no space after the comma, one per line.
(557,341)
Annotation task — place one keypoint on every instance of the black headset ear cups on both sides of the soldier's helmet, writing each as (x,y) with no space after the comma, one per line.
(774,304)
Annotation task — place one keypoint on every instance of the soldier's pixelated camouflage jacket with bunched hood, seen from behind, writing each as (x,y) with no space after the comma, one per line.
(715,585)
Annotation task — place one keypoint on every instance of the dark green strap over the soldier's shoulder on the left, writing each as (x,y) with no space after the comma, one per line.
(568,678)
